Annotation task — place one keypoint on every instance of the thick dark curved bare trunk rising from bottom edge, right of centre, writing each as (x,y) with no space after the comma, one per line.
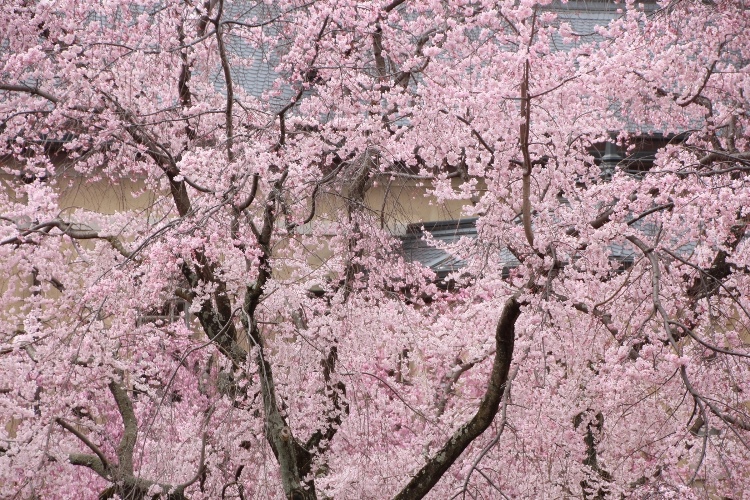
(428,476)
